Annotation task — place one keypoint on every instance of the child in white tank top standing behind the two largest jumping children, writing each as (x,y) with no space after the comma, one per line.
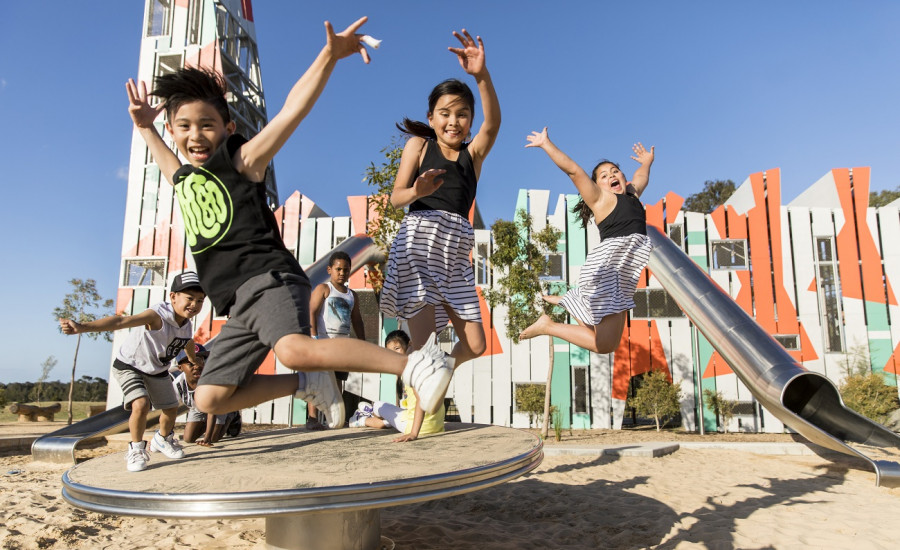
(333,312)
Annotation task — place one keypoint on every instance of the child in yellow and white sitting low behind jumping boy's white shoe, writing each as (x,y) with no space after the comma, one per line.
(408,419)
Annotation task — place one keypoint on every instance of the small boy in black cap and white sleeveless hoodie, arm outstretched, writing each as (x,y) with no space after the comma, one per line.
(142,363)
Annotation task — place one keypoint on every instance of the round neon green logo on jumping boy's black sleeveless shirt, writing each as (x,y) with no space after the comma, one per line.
(206,209)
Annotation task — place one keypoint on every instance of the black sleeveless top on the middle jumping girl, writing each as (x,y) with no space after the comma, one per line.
(457,193)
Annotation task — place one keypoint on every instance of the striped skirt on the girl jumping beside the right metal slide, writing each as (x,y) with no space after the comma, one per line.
(608,278)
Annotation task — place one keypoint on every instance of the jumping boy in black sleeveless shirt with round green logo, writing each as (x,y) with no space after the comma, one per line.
(242,262)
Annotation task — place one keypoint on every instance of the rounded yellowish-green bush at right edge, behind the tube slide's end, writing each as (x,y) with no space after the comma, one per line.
(865,391)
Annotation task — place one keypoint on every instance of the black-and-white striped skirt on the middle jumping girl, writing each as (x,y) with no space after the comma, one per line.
(429,264)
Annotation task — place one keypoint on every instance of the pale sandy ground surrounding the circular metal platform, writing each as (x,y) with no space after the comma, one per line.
(692,498)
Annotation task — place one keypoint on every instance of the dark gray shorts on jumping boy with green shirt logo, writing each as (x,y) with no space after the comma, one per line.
(266,308)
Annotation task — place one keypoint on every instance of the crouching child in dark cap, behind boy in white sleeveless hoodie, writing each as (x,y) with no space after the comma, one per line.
(204,429)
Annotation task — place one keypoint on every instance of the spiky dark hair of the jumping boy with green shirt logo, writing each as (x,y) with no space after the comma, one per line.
(191,84)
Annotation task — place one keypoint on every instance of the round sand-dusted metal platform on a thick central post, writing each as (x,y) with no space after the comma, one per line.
(315,489)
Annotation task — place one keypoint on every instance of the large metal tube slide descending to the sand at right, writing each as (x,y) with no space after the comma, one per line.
(805,401)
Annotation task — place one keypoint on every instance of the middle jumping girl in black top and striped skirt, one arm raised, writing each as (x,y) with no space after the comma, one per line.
(430,280)
